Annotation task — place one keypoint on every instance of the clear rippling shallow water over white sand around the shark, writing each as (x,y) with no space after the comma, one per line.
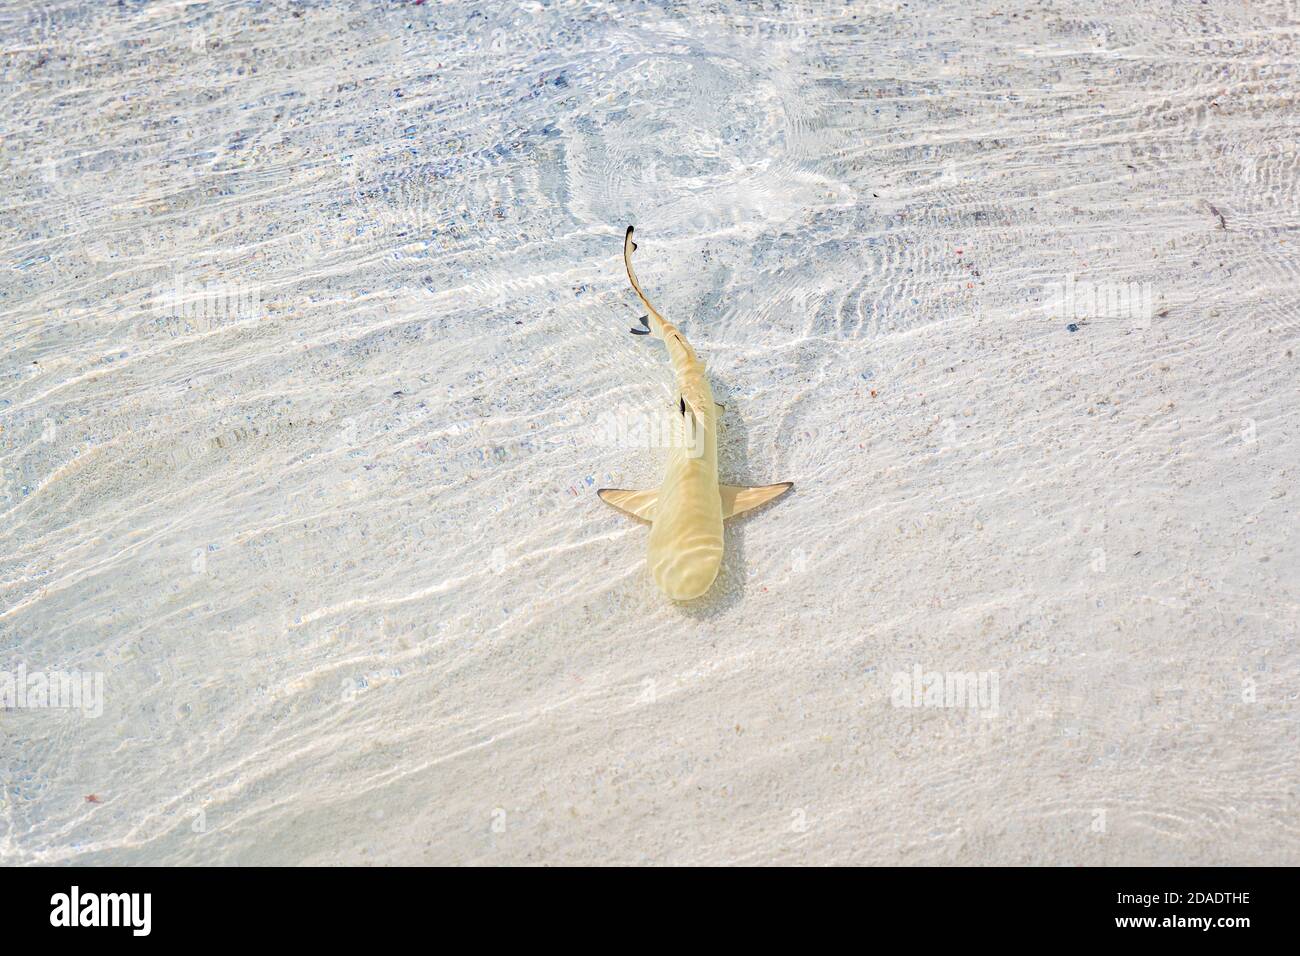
(315,323)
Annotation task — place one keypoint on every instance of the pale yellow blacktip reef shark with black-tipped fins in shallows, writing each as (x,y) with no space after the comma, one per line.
(687,512)
